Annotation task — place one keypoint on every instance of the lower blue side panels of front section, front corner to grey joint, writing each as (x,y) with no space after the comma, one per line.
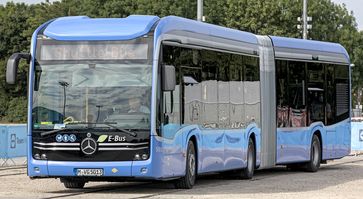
(217,149)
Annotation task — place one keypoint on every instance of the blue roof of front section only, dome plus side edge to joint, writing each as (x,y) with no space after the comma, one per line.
(85,28)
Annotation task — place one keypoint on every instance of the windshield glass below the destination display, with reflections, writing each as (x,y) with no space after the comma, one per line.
(93,93)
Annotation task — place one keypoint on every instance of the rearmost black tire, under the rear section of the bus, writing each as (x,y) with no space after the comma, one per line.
(315,155)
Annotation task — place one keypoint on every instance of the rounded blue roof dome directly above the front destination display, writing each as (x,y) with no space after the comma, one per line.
(83,28)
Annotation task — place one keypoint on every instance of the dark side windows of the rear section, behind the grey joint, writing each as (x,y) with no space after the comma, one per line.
(322,95)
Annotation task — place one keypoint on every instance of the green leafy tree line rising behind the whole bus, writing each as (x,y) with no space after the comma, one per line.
(331,22)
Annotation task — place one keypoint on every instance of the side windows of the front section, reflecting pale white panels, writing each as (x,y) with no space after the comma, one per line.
(220,90)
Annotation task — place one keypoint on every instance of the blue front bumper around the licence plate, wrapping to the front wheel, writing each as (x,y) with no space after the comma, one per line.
(166,161)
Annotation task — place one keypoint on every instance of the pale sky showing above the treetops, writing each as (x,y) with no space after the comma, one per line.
(352,5)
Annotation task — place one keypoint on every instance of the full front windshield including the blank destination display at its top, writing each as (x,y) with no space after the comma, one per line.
(91,88)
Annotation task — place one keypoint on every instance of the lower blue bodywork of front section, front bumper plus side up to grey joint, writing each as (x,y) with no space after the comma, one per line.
(167,157)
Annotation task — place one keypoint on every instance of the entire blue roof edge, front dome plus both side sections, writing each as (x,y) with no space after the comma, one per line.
(85,28)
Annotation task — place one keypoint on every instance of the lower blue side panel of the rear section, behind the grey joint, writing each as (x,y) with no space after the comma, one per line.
(293,144)
